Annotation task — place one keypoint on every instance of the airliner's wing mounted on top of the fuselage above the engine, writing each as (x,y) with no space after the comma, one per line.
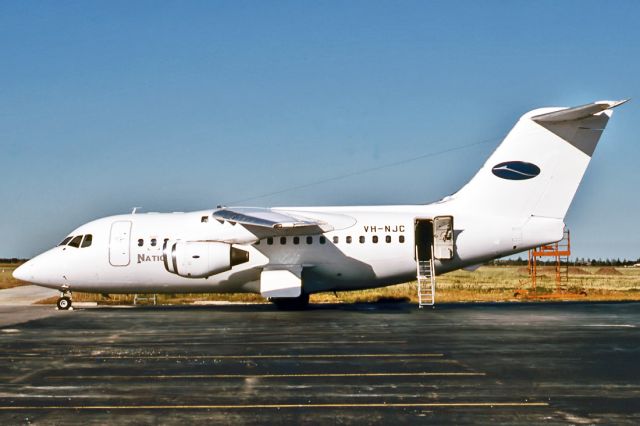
(271,220)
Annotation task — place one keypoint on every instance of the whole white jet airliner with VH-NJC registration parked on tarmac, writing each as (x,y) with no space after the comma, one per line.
(516,201)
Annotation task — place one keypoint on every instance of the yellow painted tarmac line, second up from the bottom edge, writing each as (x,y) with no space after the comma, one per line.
(270,376)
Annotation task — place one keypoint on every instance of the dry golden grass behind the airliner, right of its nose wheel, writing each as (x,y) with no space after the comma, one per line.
(487,284)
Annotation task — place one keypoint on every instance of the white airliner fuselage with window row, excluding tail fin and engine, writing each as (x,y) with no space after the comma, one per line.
(376,247)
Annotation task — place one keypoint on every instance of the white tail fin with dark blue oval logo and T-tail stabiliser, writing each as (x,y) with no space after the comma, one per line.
(536,170)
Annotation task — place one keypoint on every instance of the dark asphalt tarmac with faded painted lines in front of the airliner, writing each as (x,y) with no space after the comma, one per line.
(551,363)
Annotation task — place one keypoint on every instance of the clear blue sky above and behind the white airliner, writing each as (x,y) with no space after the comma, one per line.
(177,106)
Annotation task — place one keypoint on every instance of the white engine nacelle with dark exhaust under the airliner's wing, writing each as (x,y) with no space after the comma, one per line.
(201,259)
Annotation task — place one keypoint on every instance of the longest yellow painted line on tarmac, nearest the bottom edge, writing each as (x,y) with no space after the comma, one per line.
(278,406)
